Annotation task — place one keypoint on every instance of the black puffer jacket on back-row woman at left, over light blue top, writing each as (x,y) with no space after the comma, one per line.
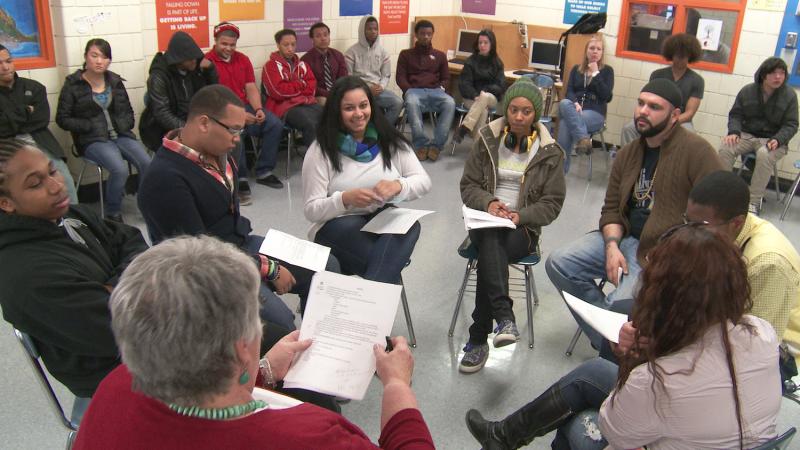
(79,114)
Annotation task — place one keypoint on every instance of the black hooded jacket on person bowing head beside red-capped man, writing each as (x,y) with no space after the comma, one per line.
(170,90)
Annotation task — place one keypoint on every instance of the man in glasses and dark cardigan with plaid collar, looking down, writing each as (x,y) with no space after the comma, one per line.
(191,189)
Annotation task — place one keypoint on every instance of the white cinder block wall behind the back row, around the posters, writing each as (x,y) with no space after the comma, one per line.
(130,27)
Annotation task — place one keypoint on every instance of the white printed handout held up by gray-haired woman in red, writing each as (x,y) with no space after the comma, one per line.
(345,317)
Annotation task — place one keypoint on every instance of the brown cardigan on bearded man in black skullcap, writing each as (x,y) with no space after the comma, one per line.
(685,157)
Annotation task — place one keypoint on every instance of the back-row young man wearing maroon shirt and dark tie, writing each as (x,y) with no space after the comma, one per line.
(326,63)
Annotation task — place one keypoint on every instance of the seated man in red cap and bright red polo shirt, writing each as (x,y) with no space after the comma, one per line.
(236,73)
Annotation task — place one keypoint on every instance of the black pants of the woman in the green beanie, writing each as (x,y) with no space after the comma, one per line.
(497,248)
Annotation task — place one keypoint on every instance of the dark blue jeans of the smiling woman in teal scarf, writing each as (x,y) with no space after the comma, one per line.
(376,257)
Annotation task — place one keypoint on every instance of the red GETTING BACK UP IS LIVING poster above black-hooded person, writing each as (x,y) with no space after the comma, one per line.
(190,16)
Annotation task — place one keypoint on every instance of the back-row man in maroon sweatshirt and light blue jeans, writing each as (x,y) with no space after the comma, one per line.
(422,74)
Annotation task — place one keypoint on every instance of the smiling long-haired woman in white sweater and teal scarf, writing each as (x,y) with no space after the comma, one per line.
(359,166)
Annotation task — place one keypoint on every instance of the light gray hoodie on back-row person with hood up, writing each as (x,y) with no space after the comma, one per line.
(371,63)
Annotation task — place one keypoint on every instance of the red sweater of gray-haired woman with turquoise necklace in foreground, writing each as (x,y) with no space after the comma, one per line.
(119,418)
